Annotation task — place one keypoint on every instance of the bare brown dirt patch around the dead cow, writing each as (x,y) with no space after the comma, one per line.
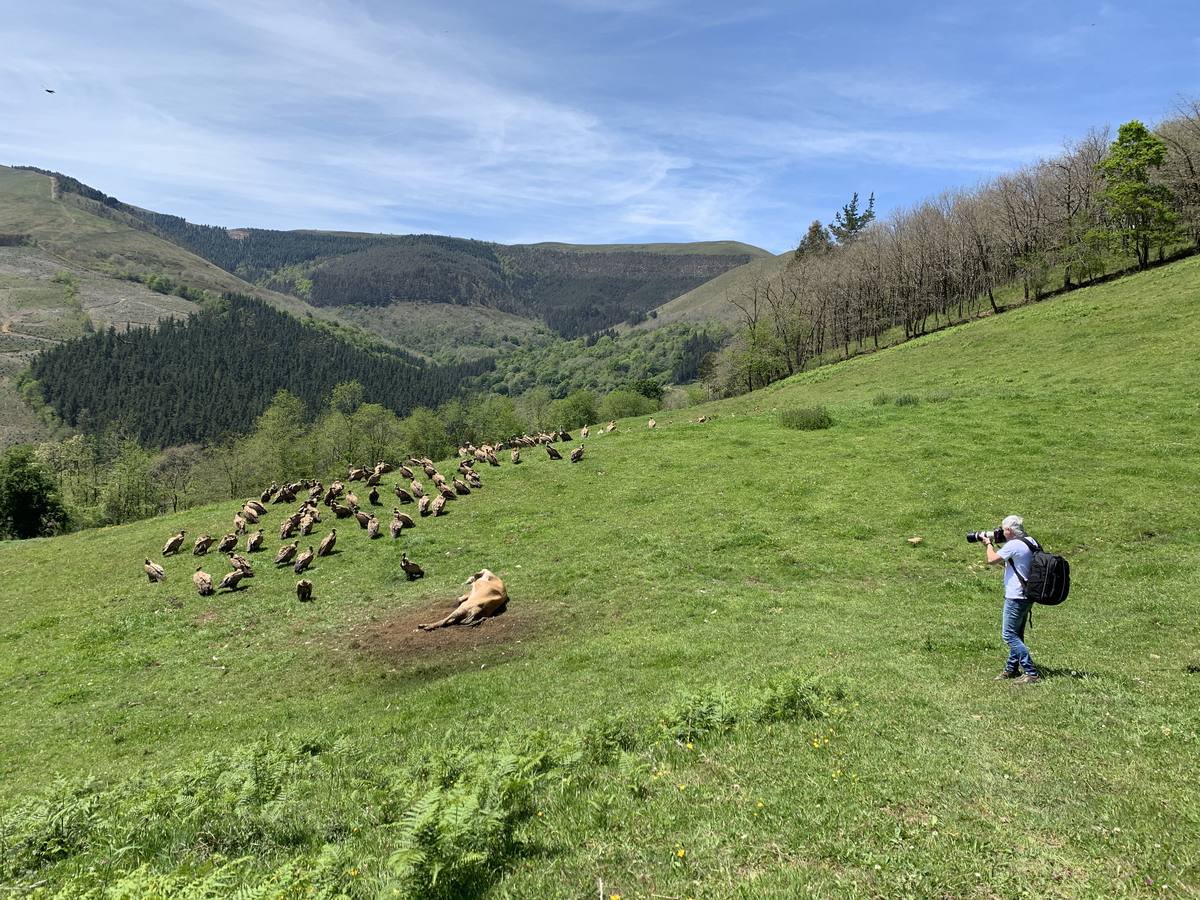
(398,640)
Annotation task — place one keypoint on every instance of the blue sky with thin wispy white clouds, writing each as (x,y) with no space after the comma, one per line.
(577,121)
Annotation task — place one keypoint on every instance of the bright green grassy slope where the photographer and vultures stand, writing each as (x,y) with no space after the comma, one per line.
(724,671)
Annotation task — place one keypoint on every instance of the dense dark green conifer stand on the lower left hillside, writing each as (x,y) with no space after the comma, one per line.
(214,374)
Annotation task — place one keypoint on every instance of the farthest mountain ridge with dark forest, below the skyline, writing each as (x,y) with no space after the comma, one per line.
(575,290)
